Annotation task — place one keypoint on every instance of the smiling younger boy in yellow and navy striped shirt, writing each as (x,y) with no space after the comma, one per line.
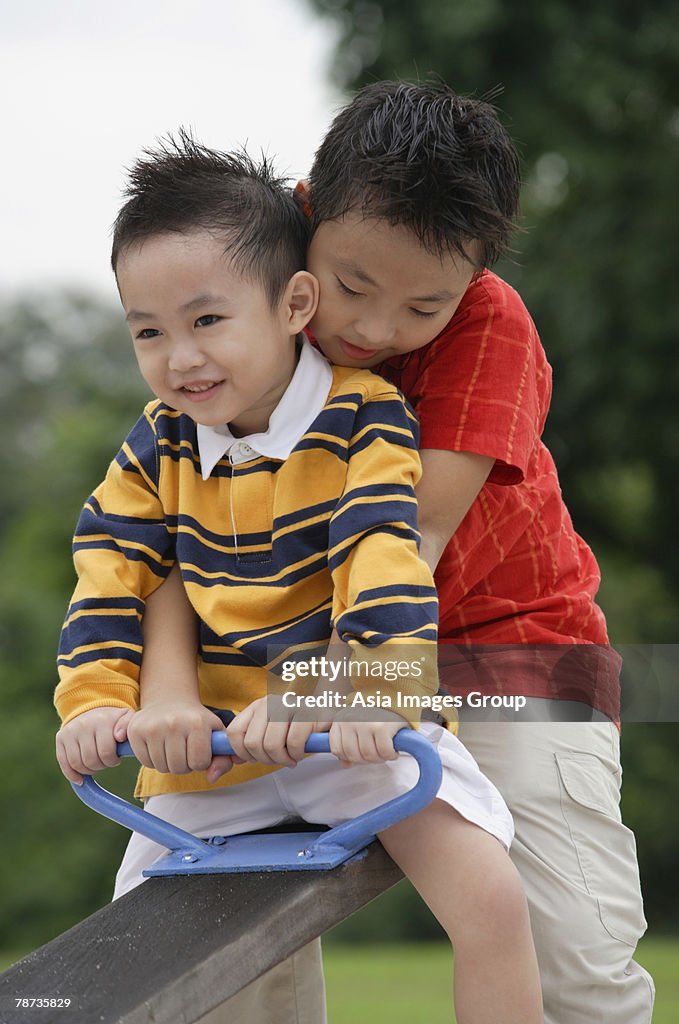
(284,490)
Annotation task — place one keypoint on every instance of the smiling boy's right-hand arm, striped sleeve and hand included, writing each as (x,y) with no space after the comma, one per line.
(385,604)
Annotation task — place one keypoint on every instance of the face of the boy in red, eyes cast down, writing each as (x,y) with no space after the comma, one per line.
(383,294)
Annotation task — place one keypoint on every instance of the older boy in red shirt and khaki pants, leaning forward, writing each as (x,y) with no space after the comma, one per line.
(412,199)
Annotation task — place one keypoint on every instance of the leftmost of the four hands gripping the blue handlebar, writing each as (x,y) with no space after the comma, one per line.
(88,744)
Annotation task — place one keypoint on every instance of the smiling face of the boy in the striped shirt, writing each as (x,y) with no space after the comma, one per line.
(206,339)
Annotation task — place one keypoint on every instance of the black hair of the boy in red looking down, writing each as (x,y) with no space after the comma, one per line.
(420,156)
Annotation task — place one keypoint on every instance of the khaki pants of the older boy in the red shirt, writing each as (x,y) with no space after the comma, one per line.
(578,862)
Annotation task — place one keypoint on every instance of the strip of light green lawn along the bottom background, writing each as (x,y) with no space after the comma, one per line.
(401,984)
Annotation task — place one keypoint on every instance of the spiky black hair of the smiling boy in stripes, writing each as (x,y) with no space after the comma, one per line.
(183,187)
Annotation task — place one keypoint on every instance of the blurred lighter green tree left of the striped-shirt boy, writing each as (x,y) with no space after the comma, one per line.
(70,394)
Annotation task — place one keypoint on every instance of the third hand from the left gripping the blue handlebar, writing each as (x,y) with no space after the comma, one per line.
(270,733)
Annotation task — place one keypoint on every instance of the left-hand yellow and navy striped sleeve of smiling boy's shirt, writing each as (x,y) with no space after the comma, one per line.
(123,550)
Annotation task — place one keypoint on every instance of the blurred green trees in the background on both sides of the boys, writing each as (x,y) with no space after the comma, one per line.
(592,98)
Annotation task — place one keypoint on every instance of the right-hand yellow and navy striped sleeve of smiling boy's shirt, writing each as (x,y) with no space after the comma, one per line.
(385,598)
